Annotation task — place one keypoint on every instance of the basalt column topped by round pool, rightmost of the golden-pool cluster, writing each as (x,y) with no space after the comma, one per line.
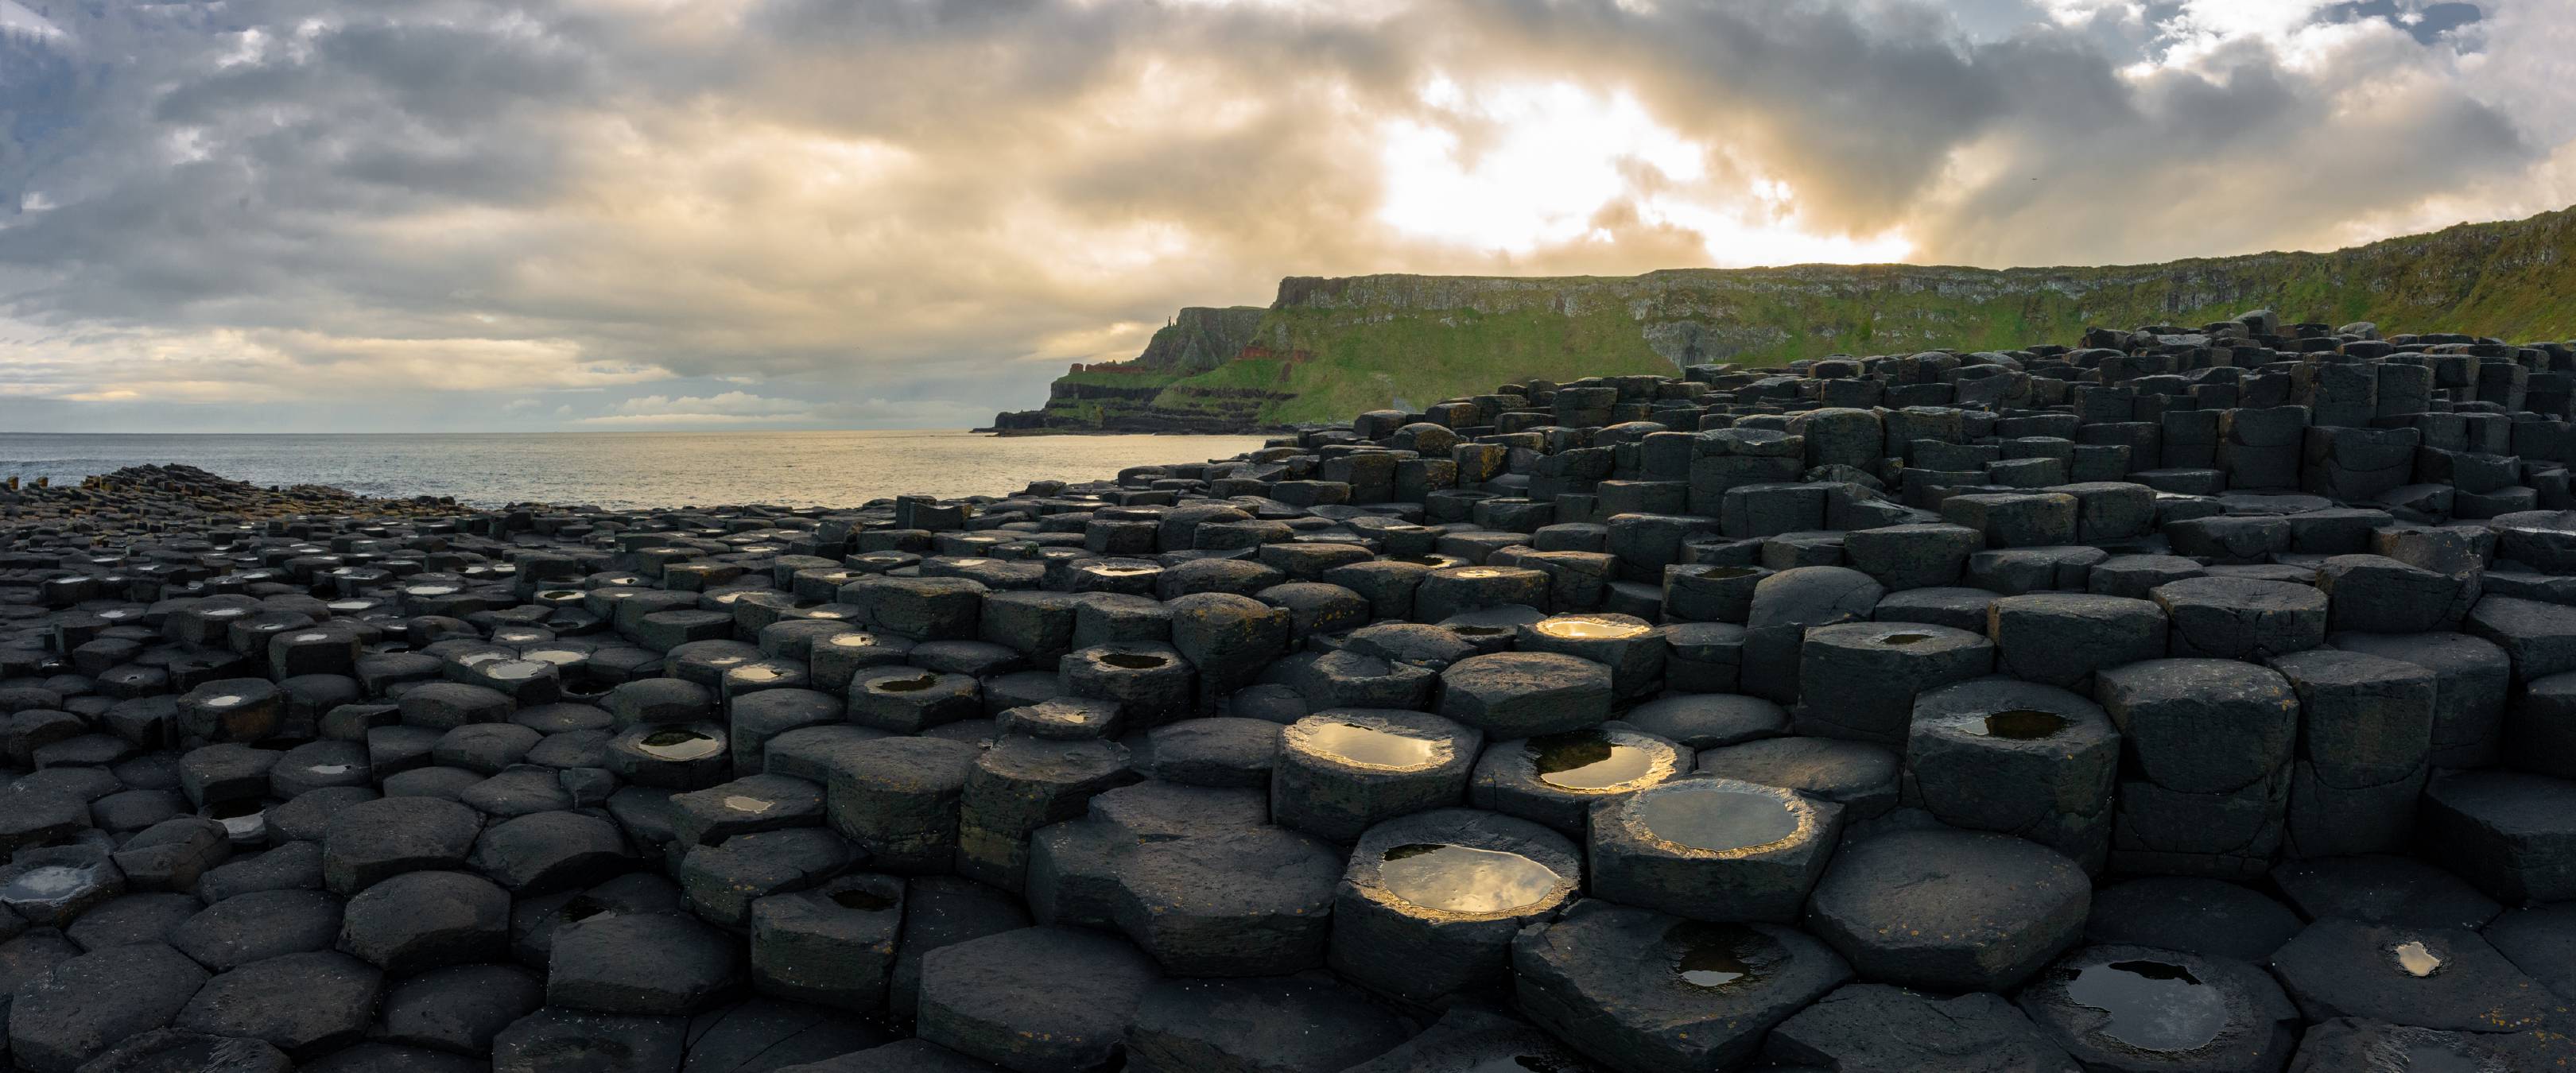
(1714,850)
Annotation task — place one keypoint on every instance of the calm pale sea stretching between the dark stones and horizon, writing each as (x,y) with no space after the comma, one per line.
(627,470)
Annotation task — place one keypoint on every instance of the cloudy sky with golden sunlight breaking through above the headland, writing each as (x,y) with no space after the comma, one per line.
(699,215)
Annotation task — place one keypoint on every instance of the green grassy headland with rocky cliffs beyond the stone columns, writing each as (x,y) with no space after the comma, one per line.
(1331,349)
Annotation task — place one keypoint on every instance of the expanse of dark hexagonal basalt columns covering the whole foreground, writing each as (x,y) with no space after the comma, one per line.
(2188,699)
